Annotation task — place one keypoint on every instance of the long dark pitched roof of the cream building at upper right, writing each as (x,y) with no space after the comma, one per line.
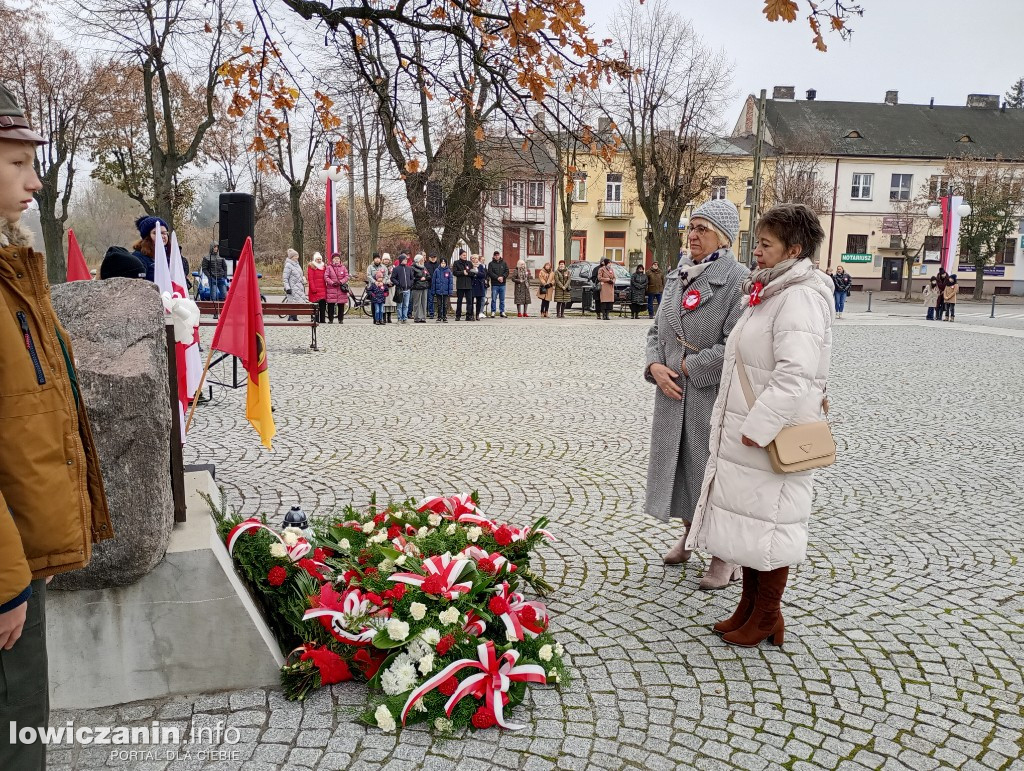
(895,131)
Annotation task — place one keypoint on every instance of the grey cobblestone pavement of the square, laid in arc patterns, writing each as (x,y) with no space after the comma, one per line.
(905,627)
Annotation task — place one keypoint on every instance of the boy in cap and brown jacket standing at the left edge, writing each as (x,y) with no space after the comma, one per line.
(53,504)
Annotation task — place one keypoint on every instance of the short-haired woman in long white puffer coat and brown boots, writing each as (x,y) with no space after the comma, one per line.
(747,513)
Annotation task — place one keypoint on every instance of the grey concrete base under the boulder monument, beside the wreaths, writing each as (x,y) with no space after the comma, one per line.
(187,627)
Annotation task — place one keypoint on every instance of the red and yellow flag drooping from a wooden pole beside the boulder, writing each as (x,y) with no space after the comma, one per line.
(240,333)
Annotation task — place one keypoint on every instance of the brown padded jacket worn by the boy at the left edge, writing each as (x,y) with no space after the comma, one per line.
(53,505)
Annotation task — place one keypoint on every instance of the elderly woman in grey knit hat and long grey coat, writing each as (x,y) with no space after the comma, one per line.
(686,352)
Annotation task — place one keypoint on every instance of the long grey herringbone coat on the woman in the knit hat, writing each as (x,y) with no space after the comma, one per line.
(681,431)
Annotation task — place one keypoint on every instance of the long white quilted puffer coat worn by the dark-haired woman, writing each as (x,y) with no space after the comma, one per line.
(747,513)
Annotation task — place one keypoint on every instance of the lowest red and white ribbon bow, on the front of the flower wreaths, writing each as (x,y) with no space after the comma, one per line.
(493,681)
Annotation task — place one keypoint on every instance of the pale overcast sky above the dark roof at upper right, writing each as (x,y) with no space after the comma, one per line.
(922,49)
